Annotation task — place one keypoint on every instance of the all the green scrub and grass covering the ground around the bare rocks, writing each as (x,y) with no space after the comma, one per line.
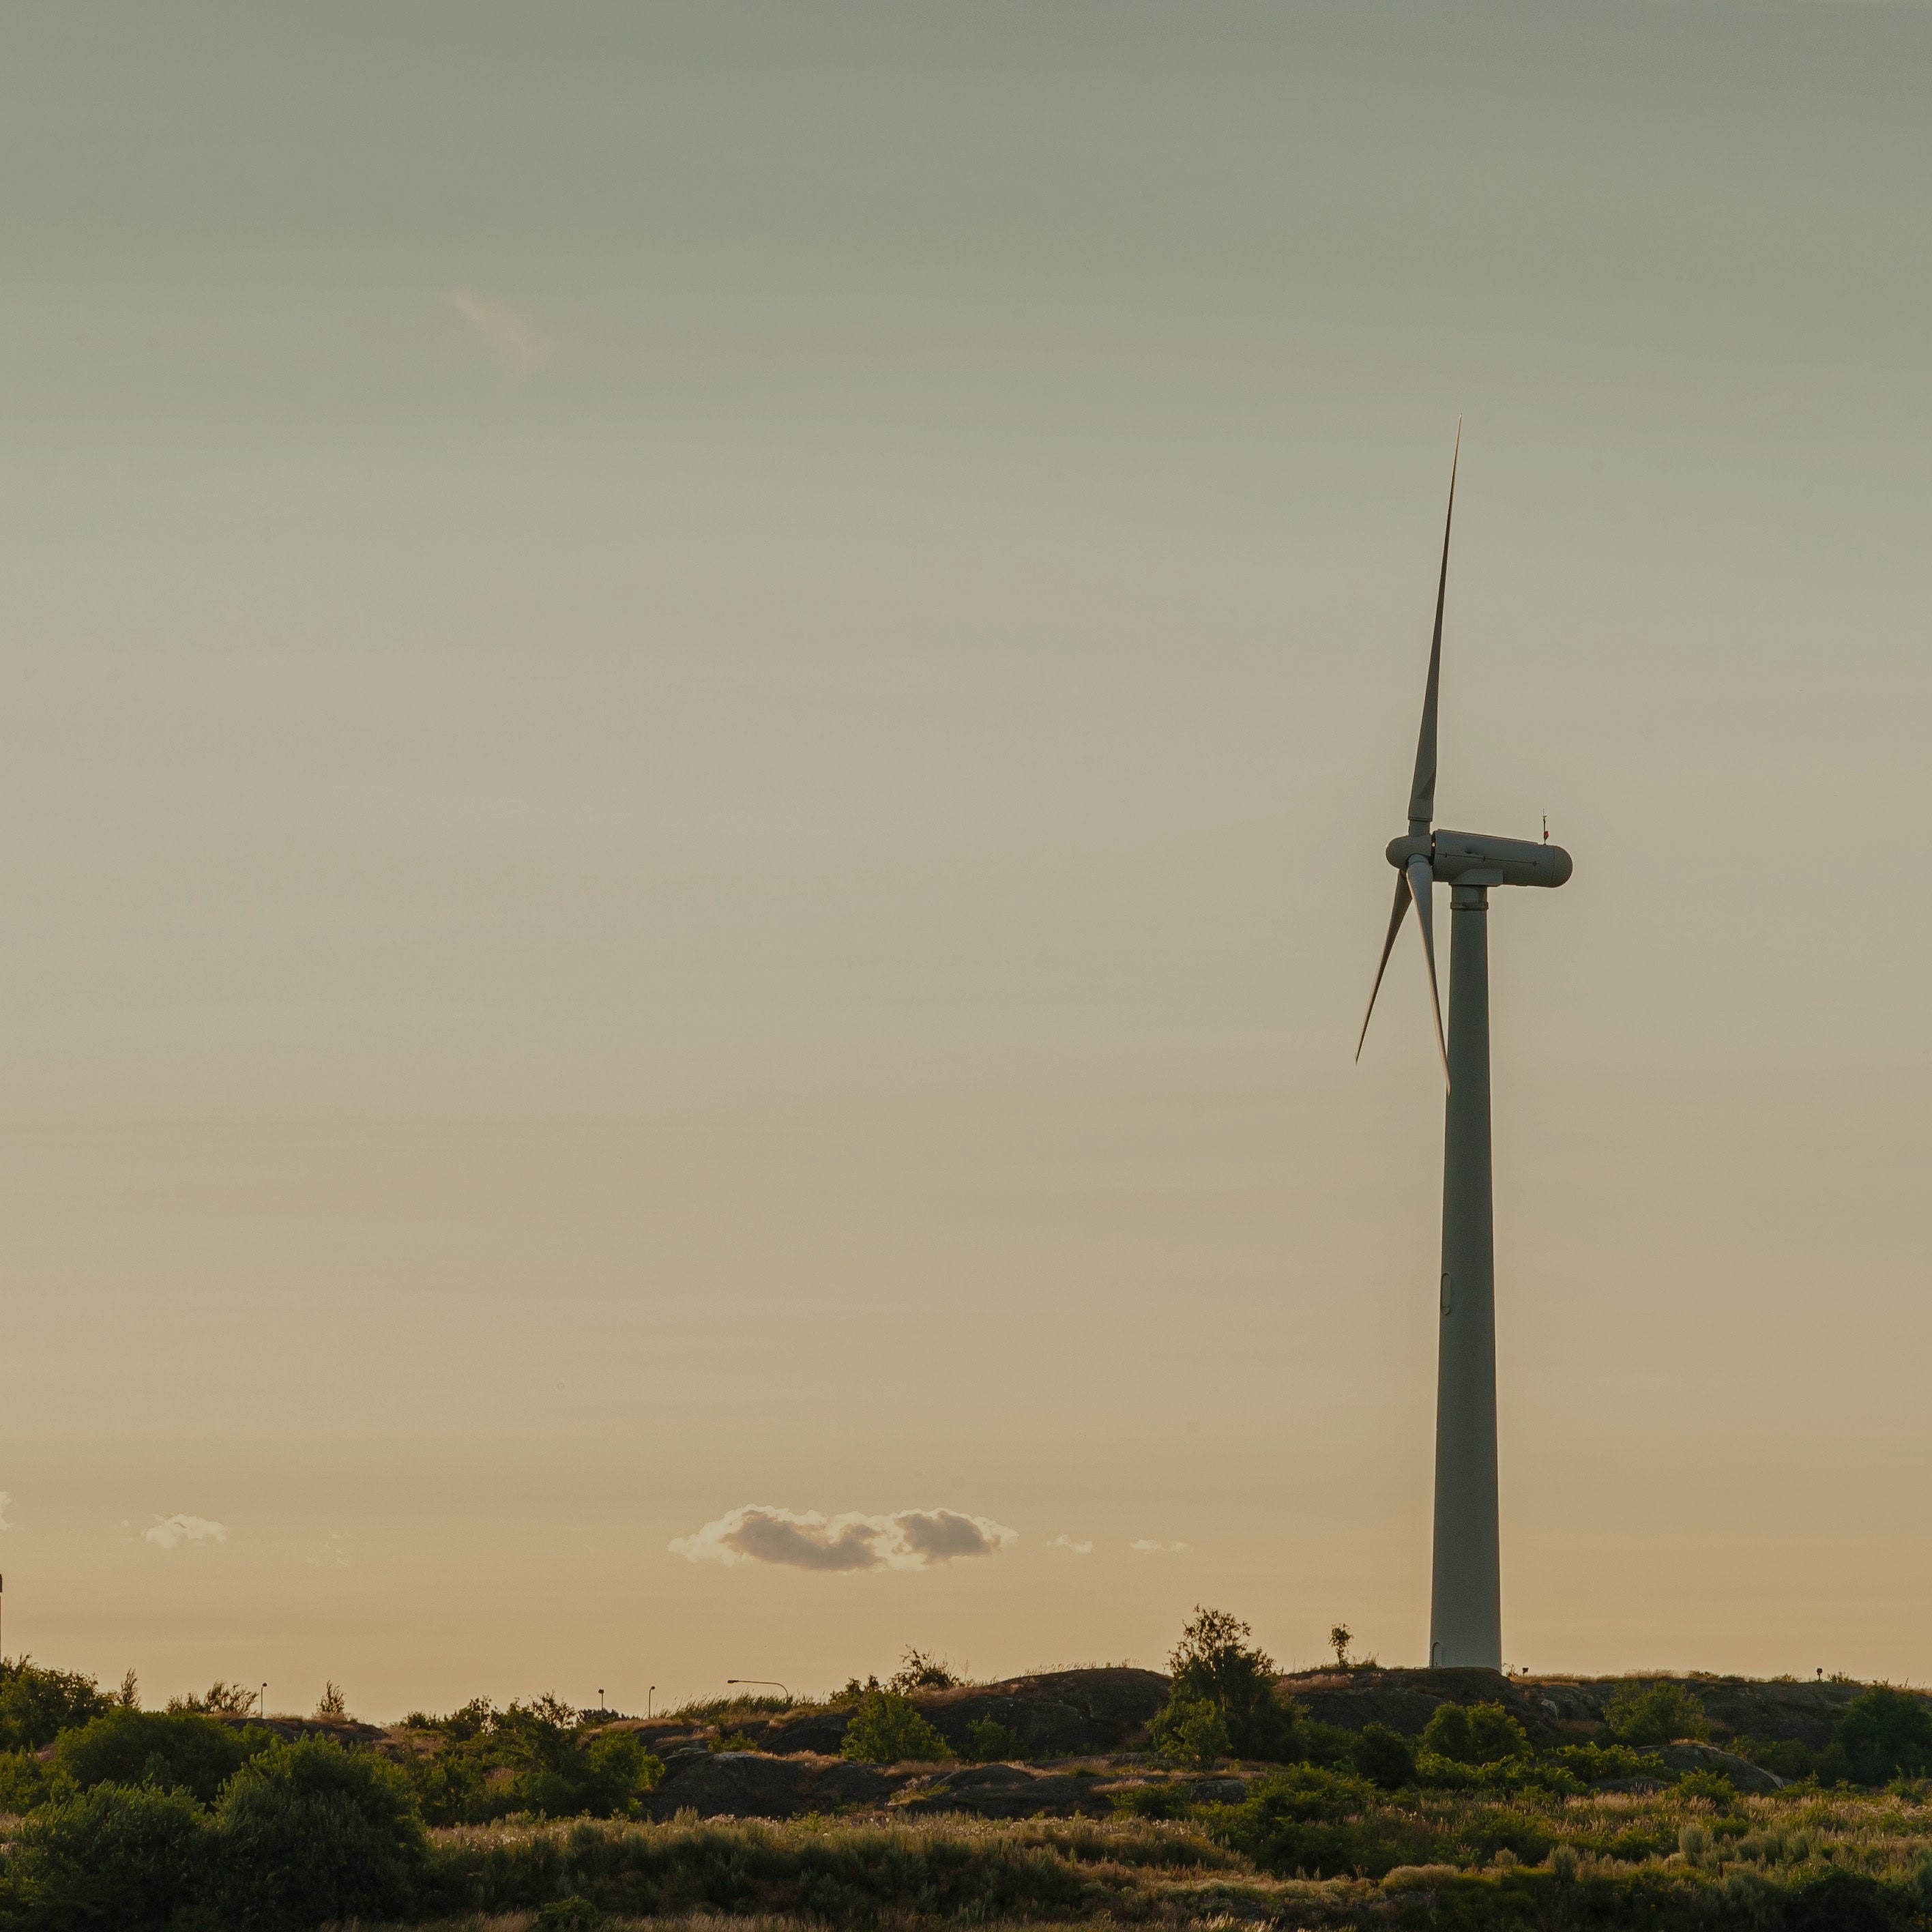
(1237,1807)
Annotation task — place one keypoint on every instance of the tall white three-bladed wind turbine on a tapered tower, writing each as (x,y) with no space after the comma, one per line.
(1465,1585)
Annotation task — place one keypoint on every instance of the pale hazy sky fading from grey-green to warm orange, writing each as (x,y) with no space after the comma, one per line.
(700,704)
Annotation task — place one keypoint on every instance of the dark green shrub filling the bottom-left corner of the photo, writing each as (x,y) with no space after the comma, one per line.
(125,1860)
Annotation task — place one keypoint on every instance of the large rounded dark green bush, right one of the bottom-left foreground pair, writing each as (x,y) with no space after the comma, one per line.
(312,1833)
